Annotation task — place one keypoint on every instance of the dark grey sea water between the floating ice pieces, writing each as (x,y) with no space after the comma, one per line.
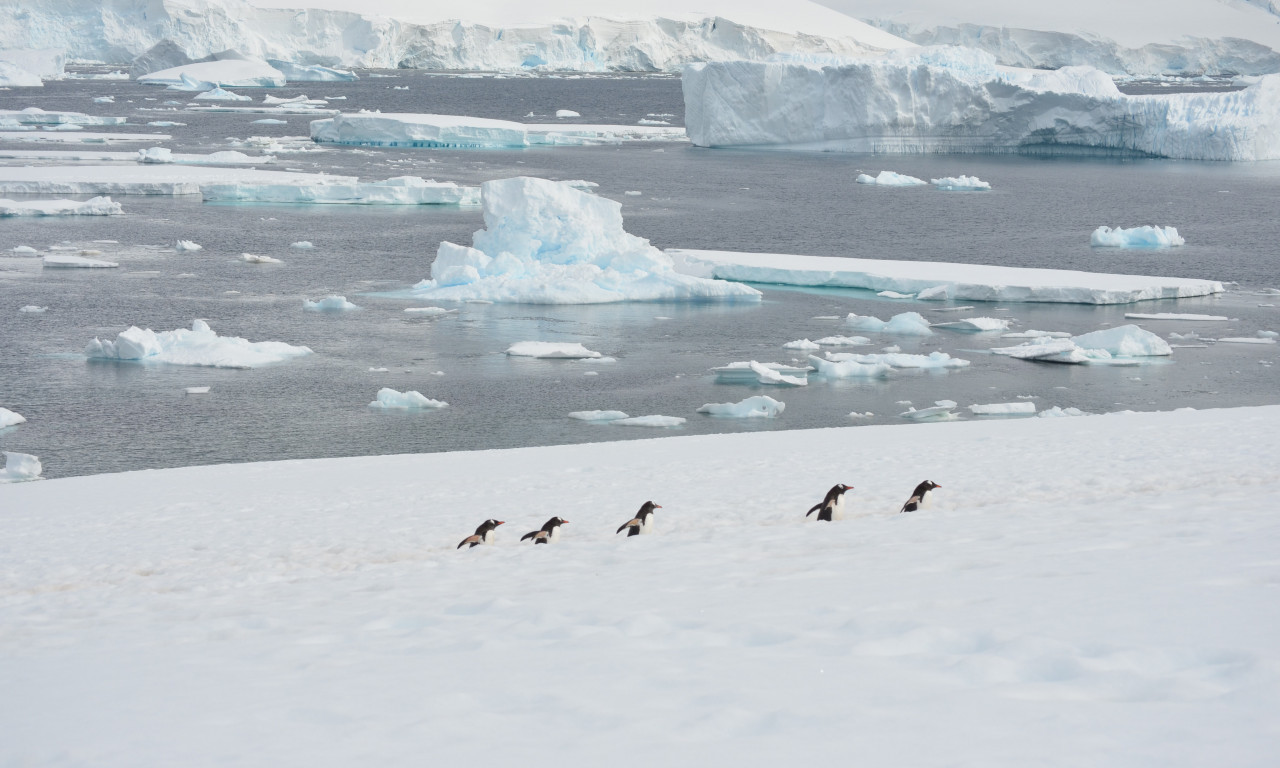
(88,417)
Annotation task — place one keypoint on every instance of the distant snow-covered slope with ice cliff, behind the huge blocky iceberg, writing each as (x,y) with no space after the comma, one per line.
(1142,38)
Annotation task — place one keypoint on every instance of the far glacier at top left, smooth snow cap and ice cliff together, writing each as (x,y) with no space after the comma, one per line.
(492,35)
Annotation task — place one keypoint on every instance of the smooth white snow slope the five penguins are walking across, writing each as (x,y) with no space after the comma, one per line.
(1084,592)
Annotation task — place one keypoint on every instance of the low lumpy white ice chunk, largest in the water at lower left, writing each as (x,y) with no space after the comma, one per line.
(199,346)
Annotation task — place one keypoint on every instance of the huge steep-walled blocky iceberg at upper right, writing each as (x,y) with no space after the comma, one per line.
(959,100)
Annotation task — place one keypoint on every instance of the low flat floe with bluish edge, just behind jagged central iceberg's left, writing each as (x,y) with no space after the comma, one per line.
(396,191)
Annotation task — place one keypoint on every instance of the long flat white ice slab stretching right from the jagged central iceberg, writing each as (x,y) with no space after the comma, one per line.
(939,281)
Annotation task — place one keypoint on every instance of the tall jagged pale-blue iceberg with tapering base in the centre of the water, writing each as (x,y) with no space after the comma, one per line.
(546,243)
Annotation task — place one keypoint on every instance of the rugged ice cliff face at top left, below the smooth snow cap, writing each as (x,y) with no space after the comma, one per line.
(167,33)
